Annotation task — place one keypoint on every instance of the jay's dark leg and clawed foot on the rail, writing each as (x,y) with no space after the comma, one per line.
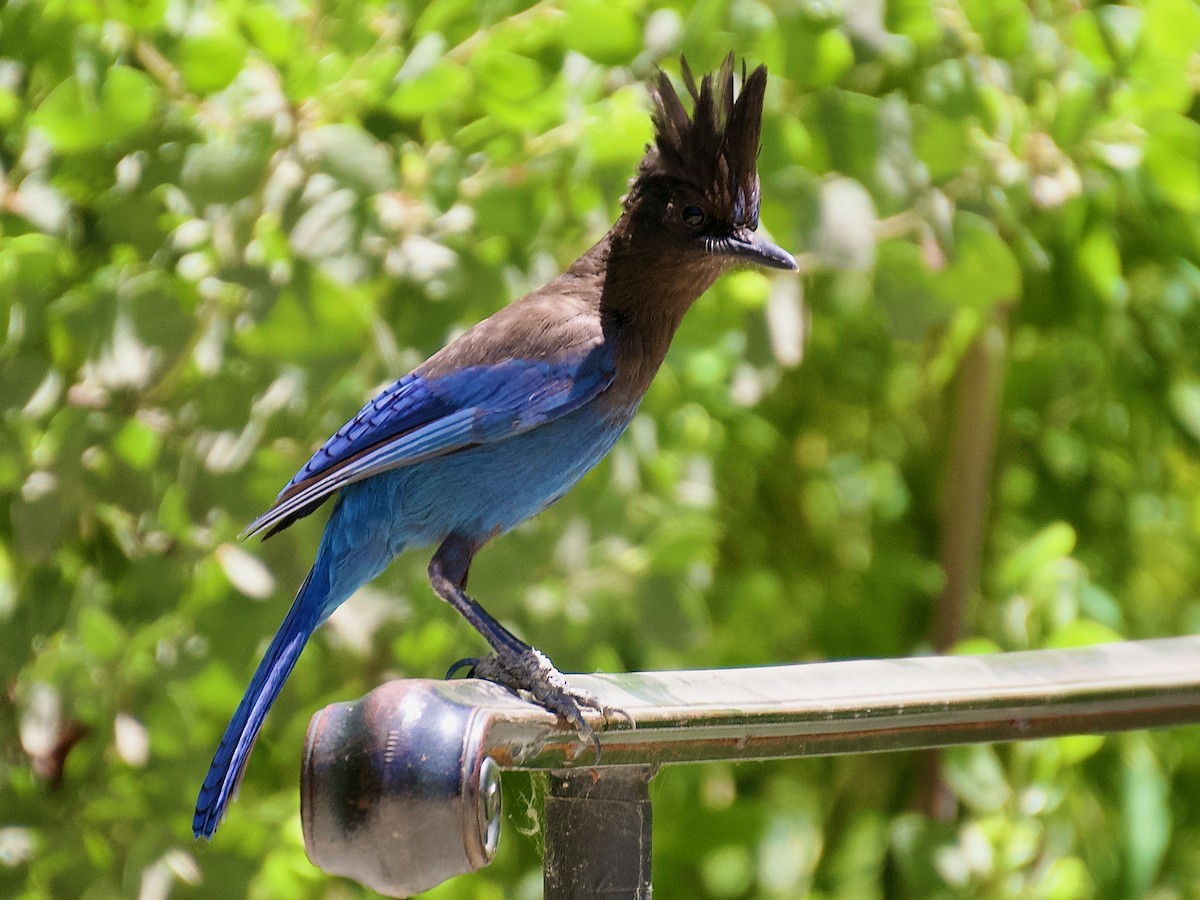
(514,664)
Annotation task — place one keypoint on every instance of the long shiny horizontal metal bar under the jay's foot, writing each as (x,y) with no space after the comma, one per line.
(863,706)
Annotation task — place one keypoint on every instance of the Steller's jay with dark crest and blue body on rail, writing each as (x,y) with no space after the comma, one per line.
(505,421)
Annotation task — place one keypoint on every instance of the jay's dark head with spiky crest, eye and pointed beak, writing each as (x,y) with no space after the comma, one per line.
(697,190)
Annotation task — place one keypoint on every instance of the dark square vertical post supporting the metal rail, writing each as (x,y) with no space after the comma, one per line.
(598,835)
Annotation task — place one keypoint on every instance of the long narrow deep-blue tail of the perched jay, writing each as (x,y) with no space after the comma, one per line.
(230,763)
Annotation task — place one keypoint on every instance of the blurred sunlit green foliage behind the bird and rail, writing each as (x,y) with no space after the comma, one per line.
(971,424)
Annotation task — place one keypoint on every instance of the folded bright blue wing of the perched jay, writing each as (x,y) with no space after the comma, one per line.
(419,418)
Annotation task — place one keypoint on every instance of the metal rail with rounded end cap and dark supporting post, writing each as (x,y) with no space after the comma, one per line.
(400,790)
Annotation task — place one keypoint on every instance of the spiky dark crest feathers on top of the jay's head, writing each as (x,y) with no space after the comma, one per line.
(716,149)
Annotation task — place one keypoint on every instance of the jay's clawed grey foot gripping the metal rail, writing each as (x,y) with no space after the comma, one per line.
(533,675)
